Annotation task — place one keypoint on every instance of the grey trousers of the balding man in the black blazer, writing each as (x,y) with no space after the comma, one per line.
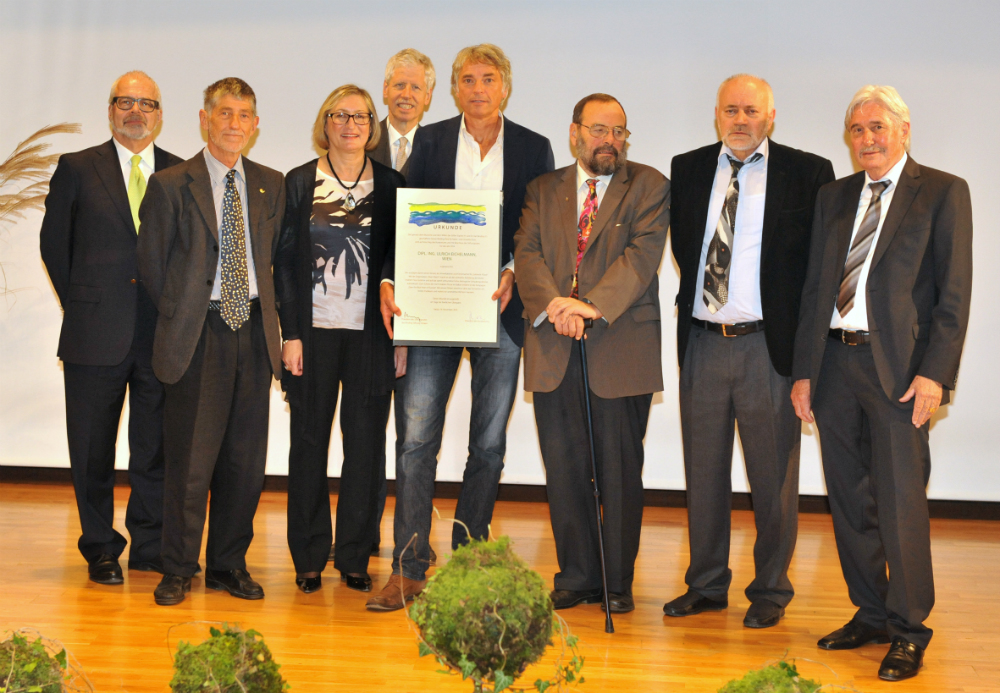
(726,380)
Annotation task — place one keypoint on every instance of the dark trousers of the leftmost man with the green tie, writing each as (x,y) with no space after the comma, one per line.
(94,399)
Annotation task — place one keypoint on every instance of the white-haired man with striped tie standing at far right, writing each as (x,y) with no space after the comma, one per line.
(884,314)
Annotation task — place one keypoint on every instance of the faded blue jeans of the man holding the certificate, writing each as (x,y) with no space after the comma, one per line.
(421,402)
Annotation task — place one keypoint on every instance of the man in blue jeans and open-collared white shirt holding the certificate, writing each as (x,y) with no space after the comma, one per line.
(479,149)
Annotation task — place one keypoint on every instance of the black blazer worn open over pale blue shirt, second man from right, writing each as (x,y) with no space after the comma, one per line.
(793,180)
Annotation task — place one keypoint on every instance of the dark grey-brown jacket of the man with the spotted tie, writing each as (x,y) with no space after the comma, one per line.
(179,253)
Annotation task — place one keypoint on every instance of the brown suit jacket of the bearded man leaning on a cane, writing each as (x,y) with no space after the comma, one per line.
(617,274)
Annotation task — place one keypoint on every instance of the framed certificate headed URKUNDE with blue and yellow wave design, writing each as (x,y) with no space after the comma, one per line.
(447,267)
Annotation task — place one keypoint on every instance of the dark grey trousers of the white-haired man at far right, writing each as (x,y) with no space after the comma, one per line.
(877,465)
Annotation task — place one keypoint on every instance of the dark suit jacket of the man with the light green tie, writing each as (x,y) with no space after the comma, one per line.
(88,245)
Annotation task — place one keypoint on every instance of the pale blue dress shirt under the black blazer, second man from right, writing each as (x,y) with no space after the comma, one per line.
(744,270)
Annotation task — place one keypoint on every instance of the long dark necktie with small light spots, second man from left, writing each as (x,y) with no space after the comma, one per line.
(235,289)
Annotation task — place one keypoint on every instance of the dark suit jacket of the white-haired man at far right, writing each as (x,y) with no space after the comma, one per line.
(919,283)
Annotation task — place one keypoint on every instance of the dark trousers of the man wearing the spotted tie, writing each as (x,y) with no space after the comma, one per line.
(215,440)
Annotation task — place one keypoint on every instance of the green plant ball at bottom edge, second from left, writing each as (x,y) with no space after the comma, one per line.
(230,661)
